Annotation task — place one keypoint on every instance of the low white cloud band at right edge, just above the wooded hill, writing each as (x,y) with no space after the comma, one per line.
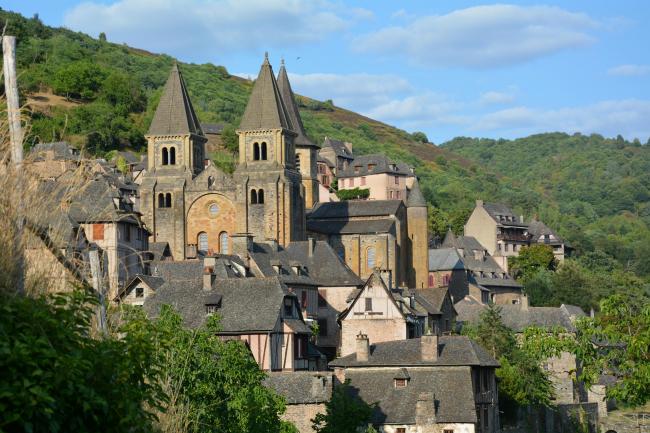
(627,117)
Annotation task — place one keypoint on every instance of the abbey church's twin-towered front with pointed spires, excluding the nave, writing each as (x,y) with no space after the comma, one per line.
(192,205)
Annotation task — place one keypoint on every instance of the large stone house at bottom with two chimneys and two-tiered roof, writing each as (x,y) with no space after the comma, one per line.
(428,384)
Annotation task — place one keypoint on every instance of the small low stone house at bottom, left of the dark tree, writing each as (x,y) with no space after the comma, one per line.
(305,394)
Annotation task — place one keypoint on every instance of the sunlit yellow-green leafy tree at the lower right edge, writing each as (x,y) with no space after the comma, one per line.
(617,342)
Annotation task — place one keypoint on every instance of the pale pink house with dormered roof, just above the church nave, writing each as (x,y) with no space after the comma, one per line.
(385,179)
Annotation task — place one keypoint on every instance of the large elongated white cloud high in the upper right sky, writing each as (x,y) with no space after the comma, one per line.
(483,36)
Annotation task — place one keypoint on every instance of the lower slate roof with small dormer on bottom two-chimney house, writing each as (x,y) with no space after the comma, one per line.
(452,389)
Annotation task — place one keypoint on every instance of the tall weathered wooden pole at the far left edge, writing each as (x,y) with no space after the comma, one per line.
(16,137)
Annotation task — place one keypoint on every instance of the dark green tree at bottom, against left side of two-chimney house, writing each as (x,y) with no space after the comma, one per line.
(344,413)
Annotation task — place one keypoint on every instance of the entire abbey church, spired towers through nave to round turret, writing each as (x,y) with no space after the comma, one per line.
(196,208)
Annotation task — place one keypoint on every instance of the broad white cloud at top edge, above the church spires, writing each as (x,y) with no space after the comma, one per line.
(179,26)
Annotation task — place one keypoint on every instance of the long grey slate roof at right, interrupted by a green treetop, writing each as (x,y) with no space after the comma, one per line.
(517,317)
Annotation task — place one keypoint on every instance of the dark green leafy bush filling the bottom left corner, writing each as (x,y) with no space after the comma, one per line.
(57,377)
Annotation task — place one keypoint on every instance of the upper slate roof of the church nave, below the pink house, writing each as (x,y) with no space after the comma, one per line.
(355,208)
